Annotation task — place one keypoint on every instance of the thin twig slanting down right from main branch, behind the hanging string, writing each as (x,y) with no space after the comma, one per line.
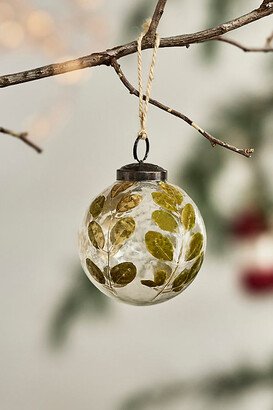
(214,141)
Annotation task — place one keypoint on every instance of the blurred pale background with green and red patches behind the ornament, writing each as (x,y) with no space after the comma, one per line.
(63,344)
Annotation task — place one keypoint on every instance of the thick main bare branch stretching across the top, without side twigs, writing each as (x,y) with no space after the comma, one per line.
(104,58)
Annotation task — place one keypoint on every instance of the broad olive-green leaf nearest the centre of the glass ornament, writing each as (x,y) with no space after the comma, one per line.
(159,246)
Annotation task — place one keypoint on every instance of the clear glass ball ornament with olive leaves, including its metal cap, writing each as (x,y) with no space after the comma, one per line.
(143,239)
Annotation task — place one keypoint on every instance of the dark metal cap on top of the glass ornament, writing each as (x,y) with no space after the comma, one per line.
(141,171)
